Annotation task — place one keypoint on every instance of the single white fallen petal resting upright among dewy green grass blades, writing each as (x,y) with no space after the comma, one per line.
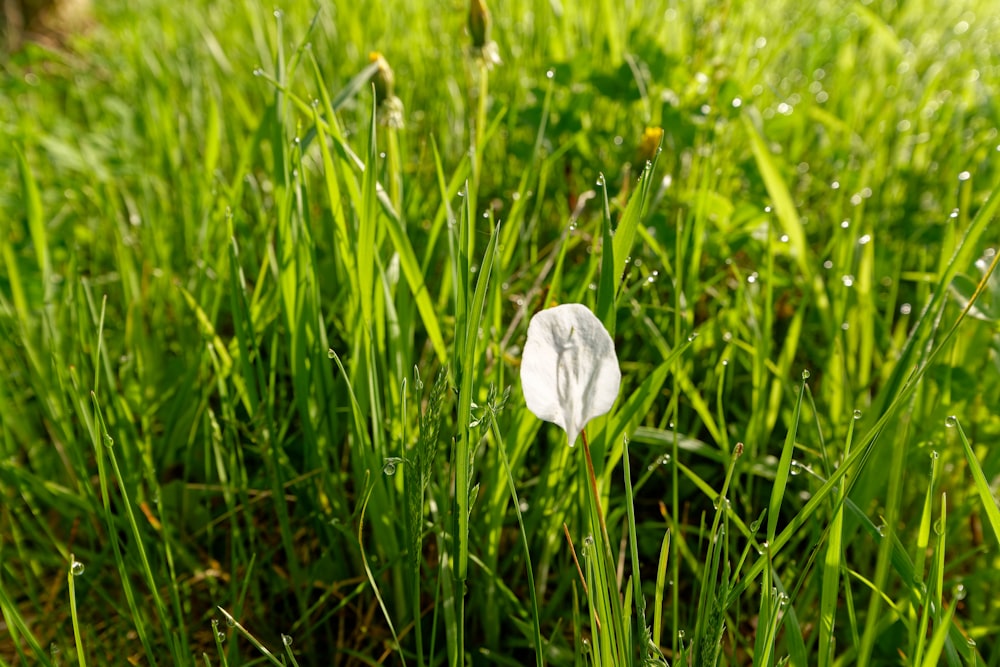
(569,369)
